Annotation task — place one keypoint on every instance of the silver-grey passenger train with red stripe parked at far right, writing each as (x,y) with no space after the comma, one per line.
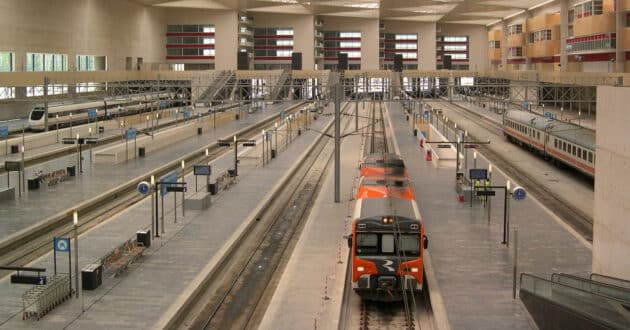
(563,142)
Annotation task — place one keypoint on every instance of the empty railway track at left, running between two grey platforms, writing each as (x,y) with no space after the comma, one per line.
(33,242)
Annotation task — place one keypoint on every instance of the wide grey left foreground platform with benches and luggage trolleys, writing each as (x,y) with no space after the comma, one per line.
(145,292)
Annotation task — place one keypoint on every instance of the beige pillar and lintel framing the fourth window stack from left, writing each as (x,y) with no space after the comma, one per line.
(426,39)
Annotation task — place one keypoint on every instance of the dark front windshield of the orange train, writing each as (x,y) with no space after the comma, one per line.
(388,244)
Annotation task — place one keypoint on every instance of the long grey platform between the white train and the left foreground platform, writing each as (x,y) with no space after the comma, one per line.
(37,205)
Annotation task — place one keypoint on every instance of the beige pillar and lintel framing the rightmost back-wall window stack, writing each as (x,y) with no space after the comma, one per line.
(477,43)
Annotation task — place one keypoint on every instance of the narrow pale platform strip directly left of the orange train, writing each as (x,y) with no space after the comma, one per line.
(310,291)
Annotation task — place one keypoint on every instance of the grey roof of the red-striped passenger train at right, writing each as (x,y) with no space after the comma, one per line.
(573,133)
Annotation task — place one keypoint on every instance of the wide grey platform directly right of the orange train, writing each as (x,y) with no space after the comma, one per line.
(472,267)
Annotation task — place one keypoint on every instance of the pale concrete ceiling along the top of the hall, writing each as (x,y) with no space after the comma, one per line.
(443,11)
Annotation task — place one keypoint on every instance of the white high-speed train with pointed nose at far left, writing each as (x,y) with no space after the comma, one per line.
(63,114)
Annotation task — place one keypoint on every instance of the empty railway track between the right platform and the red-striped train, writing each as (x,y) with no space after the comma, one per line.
(578,220)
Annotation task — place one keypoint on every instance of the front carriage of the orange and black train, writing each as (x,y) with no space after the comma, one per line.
(387,246)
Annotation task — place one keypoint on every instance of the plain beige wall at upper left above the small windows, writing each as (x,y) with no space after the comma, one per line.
(113,28)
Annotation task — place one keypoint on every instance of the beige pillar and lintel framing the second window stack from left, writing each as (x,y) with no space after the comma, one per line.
(303,33)
